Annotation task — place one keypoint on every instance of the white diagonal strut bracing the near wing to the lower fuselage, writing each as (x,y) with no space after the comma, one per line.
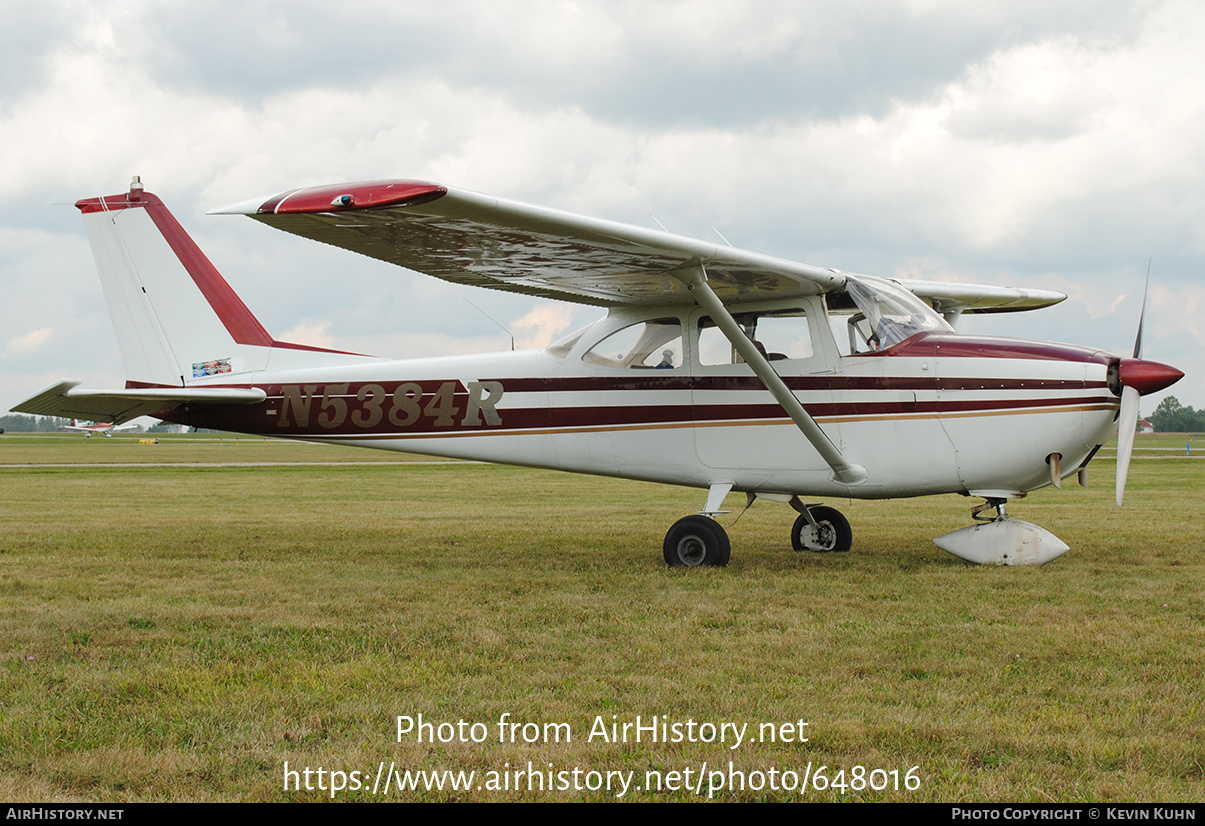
(843,471)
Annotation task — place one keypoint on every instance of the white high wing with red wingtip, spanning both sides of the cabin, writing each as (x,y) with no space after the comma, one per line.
(469,238)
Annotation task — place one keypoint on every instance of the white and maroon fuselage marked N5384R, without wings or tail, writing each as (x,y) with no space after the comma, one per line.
(649,395)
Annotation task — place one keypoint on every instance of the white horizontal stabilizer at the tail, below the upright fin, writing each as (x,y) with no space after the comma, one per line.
(121,406)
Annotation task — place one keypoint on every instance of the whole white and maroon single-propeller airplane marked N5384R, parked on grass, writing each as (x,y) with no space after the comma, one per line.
(714,368)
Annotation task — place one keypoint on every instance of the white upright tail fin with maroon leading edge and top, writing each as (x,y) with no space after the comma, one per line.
(178,320)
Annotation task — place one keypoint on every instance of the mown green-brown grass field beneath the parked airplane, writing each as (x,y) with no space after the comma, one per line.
(181,631)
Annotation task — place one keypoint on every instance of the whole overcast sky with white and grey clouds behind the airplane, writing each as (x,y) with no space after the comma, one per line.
(1055,145)
